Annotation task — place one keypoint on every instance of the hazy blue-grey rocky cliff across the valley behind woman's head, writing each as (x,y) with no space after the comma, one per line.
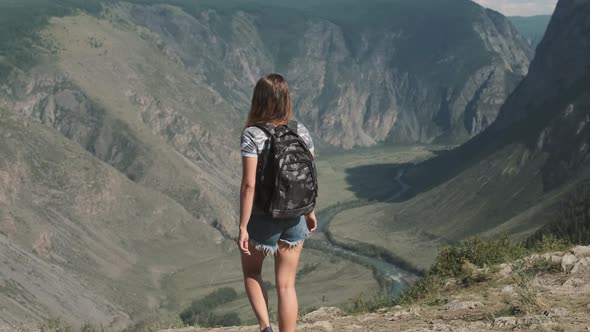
(360,73)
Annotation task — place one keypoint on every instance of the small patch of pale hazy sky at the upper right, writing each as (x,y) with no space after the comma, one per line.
(520,7)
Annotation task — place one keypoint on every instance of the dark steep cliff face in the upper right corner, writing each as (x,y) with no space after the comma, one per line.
(552,100)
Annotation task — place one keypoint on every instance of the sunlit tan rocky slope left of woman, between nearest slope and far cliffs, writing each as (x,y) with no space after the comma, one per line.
(168,134)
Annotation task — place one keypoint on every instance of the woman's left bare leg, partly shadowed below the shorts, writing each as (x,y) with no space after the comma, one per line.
(252,269)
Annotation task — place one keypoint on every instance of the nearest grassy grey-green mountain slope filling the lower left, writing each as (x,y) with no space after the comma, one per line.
(79,240)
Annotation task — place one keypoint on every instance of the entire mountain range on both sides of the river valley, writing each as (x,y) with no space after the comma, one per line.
(120,123)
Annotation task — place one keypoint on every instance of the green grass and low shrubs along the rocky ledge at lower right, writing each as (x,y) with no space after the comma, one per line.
(470,263)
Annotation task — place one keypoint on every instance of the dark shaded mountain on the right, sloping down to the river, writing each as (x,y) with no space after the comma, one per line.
(527,172)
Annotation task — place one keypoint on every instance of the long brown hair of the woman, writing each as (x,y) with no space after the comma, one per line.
(271,101)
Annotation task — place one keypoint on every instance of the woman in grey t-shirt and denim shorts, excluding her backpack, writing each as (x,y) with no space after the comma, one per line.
(260,235)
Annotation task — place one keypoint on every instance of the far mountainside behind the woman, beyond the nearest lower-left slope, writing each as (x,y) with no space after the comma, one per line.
(159,89)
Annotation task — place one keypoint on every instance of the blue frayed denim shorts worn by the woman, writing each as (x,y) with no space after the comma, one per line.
(265,232)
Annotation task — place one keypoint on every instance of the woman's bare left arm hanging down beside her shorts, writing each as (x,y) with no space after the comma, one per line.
(246,199)
